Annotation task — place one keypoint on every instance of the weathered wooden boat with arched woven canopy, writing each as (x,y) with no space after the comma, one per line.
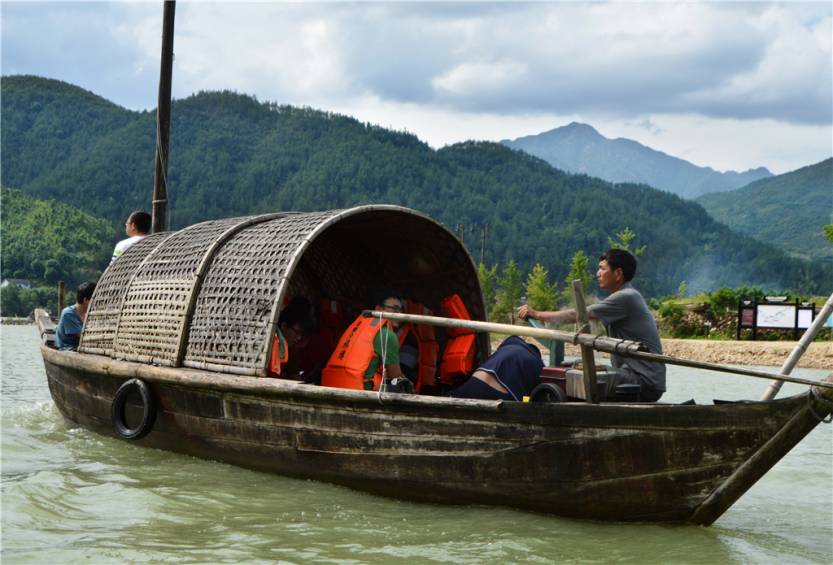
(191,314)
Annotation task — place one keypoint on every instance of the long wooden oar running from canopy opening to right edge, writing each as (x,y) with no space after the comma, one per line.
(600,343)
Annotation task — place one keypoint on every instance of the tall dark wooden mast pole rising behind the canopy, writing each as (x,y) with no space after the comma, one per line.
(163,121)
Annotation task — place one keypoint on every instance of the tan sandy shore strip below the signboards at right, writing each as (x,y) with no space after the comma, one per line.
(766,353)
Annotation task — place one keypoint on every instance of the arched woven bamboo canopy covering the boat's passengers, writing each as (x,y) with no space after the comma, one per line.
(209,296)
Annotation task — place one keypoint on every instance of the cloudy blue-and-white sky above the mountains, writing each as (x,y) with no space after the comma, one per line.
(727,85)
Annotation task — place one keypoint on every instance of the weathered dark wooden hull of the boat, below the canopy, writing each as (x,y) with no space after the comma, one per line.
(608,462)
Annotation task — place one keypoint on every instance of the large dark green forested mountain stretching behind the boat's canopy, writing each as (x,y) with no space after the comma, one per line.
(232,155)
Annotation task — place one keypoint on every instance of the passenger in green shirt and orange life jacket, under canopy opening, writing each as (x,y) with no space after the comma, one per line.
(358,358)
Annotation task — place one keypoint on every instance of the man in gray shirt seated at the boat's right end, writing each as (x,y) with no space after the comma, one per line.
(625,316)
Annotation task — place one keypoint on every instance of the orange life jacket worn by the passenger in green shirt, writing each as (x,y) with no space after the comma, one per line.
(353,354)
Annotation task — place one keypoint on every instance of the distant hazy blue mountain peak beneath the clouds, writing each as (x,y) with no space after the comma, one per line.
(580,149)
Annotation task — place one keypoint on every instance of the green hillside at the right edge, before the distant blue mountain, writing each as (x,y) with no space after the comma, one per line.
(789,210)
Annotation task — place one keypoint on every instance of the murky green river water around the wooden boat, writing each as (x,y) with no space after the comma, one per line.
(69,496)
